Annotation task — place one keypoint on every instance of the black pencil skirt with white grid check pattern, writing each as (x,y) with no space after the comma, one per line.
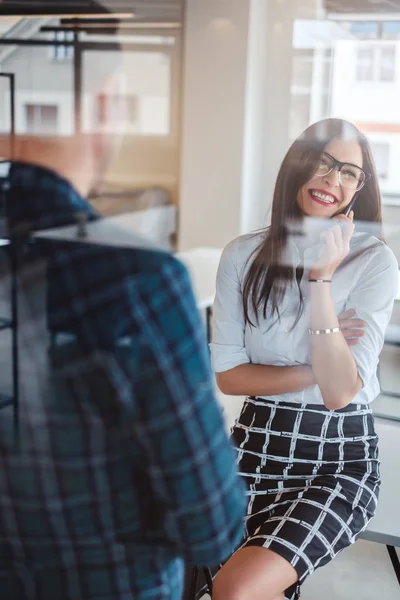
(312,478)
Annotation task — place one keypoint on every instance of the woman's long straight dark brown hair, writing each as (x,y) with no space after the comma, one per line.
(267,278)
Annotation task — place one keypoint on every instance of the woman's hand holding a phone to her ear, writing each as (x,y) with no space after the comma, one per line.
(337,247)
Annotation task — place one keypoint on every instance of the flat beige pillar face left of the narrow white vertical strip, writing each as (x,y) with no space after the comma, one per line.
(215,50)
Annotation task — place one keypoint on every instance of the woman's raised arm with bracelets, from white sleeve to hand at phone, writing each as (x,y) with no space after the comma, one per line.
(339,372)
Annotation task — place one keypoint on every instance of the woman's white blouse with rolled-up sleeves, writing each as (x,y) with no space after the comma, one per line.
(366,283)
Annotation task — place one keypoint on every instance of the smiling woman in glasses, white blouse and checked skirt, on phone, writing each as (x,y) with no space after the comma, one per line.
(305,438)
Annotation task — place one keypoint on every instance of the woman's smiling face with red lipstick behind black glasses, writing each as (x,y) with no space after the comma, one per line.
(323,196)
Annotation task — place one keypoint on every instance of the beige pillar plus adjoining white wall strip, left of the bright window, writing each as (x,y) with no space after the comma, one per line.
(237,113)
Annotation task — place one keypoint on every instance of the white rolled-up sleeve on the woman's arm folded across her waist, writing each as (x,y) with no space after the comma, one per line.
(228,342)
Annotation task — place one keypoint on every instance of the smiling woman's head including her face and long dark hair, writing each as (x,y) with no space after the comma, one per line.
(292,200)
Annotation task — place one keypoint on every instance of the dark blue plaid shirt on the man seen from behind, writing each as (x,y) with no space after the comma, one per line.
(123,470)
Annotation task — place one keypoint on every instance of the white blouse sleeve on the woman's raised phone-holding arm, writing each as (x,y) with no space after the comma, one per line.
(373,299)
